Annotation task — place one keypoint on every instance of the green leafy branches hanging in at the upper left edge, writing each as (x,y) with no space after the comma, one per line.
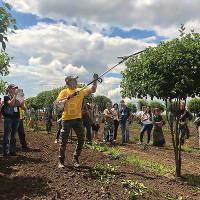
(7,24)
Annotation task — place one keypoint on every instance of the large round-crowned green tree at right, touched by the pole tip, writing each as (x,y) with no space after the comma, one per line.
(170,71)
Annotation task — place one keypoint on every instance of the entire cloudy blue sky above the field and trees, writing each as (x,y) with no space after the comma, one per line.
(81,37)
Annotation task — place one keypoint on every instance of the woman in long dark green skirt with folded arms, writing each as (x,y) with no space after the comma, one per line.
(158,136)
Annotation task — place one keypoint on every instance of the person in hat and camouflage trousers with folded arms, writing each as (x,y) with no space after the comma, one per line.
(108,134)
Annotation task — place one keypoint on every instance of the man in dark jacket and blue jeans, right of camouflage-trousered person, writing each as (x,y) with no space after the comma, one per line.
(124,117)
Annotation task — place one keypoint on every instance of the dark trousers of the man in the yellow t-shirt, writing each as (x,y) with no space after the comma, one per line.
(77,126)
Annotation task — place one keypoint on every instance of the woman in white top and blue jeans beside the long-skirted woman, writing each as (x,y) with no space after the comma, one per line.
(146,119)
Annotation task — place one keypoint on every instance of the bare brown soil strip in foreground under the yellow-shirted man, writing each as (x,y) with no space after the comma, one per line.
(34,175)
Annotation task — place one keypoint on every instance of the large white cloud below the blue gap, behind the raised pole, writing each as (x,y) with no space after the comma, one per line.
(44,54)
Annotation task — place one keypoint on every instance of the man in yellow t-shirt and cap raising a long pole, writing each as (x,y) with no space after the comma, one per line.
(71,117)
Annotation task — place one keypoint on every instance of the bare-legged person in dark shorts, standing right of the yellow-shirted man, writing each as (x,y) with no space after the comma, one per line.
(96,120)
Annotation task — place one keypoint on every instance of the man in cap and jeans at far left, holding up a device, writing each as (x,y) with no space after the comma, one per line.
(11,115)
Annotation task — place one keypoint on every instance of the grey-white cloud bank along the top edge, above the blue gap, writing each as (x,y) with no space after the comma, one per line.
(162,16)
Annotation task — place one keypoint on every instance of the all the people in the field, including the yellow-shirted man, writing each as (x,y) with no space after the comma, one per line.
(85,120)
